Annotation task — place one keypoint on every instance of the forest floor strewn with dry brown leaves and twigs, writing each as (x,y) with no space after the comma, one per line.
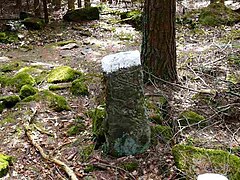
(208,63)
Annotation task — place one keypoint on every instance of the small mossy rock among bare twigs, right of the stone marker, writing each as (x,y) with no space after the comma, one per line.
(189,117)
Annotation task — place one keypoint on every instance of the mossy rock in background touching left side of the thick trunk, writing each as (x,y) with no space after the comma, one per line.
(134,18)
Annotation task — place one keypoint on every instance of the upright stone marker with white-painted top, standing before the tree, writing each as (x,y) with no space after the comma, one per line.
(126,129)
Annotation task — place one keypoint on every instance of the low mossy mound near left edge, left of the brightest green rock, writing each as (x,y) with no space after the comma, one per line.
(21,79)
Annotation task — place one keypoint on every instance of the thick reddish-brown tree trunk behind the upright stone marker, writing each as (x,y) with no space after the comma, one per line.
(159,45)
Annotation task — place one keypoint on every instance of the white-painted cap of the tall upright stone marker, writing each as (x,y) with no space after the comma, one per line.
(115,62)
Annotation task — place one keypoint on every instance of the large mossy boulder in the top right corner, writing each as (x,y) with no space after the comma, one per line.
(218,14)
